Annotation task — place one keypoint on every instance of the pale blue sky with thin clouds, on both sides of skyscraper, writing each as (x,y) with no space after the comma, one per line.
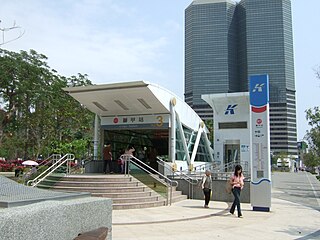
(130,40)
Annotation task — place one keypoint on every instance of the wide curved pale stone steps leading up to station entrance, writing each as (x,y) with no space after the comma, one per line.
(125,191)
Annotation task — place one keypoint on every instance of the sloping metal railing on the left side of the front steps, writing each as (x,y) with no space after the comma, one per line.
(58,163)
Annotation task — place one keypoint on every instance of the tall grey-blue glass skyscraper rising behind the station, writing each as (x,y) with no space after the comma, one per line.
(226,42)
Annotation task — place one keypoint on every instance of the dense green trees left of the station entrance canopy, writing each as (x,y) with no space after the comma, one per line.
(36,112)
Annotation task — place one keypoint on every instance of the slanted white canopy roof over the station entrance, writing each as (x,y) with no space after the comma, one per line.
(132,98)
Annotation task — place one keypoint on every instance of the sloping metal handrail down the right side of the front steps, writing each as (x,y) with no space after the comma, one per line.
(168,182)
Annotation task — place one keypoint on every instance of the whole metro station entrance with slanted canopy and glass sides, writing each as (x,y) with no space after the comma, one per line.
(152,119)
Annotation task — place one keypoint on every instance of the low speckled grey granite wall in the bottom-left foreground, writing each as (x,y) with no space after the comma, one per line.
(52,220)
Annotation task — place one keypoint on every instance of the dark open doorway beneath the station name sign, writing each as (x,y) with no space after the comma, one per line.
(148,143)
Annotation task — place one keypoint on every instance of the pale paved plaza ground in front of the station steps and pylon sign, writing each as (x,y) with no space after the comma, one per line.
(296,219)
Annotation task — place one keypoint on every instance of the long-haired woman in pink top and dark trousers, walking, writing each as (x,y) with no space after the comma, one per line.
(237,183)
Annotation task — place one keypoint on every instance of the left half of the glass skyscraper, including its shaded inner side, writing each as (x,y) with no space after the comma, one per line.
(210,50)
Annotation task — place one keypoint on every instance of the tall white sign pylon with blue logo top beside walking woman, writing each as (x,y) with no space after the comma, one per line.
(260,189)
